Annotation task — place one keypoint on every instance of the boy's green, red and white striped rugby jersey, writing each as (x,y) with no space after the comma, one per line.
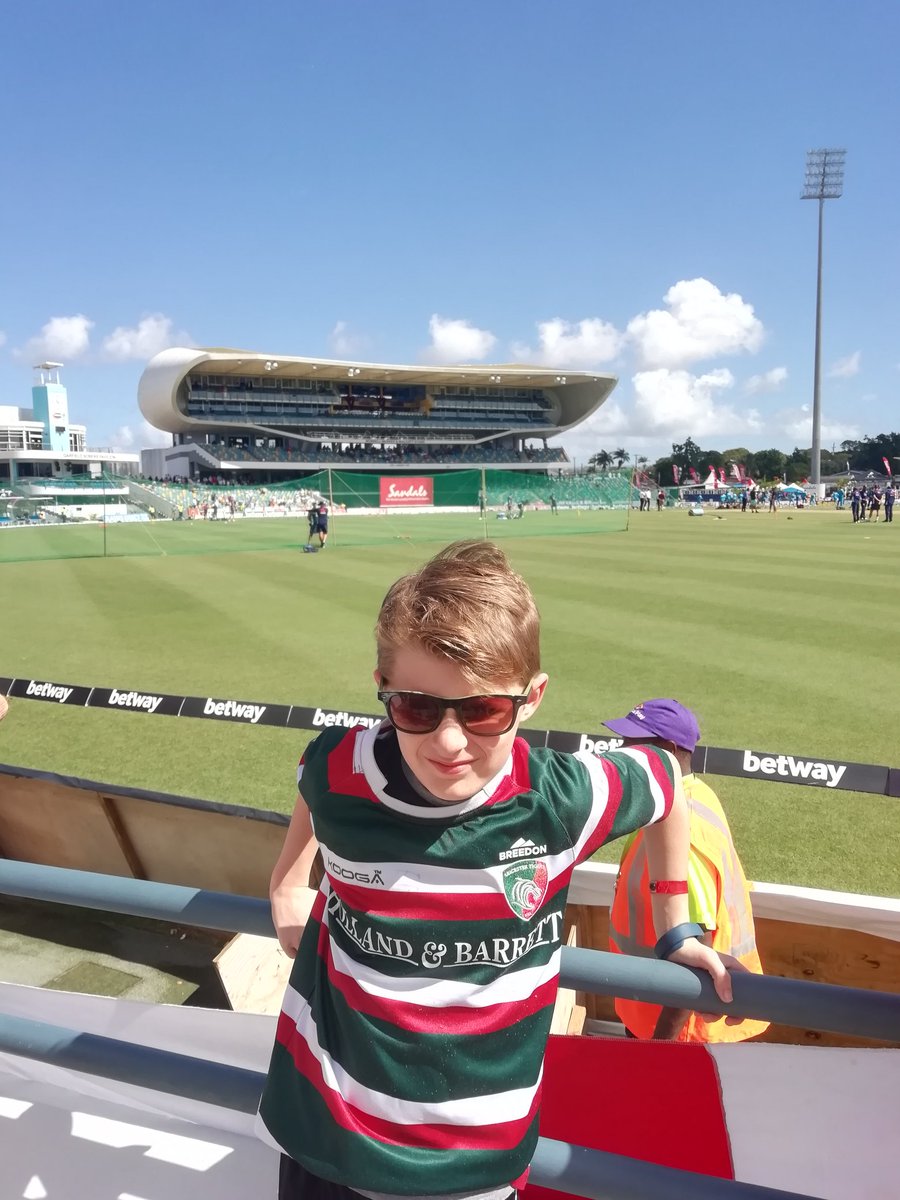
(410,1049)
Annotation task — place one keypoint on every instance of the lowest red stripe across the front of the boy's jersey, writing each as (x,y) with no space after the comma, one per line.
(503,1136)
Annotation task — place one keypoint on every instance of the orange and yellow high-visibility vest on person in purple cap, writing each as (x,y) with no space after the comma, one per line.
(632,929)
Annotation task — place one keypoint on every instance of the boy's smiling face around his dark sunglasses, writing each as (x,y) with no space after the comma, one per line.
(453,764)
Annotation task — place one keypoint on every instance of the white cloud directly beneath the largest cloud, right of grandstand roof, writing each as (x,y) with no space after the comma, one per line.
(680,404)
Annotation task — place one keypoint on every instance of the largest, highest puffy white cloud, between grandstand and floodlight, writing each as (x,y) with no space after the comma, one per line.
(699,322)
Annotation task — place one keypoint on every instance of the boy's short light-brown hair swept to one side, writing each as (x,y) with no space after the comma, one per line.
(470,607)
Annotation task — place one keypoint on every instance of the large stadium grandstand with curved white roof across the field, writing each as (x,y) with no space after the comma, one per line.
(238,415)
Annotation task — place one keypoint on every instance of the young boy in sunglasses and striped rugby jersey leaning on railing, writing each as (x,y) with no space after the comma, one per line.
(410,1049)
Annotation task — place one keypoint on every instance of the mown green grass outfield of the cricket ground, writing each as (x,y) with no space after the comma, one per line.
(782,634)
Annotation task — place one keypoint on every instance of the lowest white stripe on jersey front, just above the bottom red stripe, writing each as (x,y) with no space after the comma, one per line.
(470,1111)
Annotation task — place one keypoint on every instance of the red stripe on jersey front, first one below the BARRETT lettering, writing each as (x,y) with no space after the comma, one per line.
(457,1019)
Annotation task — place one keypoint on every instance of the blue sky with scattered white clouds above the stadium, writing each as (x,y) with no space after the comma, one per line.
(591,185)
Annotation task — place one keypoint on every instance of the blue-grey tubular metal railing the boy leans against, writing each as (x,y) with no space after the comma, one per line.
(596,1175)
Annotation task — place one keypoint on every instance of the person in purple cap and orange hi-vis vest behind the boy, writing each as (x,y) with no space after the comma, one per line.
(718,892)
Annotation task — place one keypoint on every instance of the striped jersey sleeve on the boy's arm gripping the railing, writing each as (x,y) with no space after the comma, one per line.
(599,799)
